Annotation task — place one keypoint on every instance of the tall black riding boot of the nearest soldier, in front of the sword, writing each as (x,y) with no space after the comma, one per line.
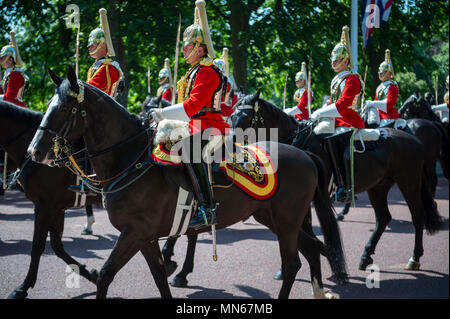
(206,214)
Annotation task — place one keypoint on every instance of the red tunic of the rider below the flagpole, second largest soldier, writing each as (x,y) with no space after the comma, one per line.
(350,117)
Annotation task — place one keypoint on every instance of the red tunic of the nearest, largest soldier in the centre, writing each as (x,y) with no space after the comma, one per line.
(206,82)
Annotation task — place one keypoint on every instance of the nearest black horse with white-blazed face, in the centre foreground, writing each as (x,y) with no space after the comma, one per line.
(143,211)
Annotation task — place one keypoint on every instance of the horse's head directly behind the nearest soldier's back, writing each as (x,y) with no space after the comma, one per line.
(246,109)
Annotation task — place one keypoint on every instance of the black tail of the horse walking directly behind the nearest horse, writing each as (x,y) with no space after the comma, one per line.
(433,221)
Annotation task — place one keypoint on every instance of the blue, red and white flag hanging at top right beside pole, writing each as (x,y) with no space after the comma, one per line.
(374,14)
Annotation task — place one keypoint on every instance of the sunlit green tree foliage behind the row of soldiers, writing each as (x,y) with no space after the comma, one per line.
(278,37)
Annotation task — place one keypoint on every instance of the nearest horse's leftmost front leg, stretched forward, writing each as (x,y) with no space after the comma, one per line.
(126,247)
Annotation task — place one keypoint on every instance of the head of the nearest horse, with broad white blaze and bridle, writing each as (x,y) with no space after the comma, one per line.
(65,120)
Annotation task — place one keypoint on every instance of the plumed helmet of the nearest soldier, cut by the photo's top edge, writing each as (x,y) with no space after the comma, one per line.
(198,33)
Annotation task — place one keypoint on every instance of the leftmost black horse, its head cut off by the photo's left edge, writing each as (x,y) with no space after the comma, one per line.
(45,186)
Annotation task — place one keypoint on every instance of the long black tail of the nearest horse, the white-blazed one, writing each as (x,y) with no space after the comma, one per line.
(330,229)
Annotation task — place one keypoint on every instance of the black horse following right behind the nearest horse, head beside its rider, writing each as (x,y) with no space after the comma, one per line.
(398,160)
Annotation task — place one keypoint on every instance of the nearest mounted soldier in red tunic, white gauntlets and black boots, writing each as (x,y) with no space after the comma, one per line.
(199,104)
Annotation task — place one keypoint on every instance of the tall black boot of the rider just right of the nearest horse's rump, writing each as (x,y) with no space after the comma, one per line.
(336,146)
